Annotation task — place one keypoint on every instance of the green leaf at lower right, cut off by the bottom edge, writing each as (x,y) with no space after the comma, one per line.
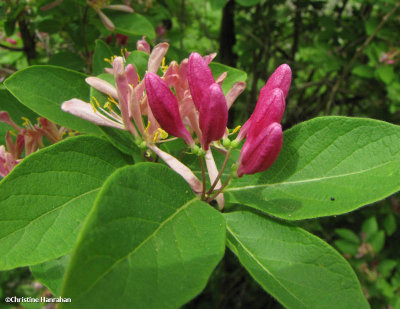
(294,266)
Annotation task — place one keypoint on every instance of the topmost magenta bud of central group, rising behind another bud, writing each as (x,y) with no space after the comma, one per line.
(200,78)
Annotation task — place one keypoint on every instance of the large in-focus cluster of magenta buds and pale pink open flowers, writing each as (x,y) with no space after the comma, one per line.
(188,102)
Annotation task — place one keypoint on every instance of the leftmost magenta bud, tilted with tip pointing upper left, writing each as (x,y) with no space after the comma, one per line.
(165,108)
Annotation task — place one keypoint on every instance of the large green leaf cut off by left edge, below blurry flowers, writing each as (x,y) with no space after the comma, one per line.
(45,199)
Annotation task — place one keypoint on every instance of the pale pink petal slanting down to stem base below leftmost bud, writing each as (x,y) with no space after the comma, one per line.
(180,168)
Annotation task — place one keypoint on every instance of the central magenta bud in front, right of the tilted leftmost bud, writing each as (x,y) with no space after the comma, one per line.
(213,116)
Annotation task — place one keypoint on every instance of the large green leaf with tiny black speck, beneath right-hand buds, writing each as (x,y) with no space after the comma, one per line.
(327,166)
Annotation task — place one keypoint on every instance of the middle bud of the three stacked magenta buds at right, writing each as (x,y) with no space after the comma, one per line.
(270,108)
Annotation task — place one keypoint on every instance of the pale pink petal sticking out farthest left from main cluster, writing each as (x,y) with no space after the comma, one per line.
(85,111)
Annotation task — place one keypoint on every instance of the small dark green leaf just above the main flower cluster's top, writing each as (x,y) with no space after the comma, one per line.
(132,24)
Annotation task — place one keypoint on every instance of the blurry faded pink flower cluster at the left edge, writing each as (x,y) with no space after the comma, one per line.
(28,140)
